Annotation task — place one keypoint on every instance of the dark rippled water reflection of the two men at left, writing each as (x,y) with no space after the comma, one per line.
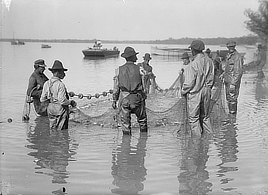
(51,150)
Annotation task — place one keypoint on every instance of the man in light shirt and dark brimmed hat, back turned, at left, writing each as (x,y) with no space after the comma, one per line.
(55,91)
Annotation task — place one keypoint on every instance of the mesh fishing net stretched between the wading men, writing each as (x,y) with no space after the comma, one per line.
(164,107)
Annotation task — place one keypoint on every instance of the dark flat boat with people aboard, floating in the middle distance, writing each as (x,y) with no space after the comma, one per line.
(98,51)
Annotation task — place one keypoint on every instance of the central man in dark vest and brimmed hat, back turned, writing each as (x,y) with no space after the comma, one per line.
(129,92)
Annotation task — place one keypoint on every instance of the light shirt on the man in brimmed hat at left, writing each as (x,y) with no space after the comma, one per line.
(55,91)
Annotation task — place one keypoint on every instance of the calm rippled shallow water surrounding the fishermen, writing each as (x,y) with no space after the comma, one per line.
(90,159)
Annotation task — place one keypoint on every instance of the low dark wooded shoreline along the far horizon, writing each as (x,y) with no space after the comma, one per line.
(245,40)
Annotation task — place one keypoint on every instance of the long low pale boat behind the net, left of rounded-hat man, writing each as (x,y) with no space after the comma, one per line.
(169,51)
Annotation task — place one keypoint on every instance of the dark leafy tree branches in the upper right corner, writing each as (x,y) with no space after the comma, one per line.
(258,21)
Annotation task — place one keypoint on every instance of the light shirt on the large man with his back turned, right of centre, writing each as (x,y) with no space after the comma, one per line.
(199,73)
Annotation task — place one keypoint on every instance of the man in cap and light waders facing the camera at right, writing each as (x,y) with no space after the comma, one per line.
(232,76)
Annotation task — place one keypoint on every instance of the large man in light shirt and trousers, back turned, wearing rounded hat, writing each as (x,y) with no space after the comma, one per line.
(199,78)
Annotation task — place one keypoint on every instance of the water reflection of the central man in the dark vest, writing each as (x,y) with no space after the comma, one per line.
(128,168)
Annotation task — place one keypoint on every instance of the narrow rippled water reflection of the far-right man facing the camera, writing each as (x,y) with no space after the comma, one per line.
(227,146)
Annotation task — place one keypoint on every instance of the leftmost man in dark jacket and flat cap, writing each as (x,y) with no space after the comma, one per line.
(35,86)
